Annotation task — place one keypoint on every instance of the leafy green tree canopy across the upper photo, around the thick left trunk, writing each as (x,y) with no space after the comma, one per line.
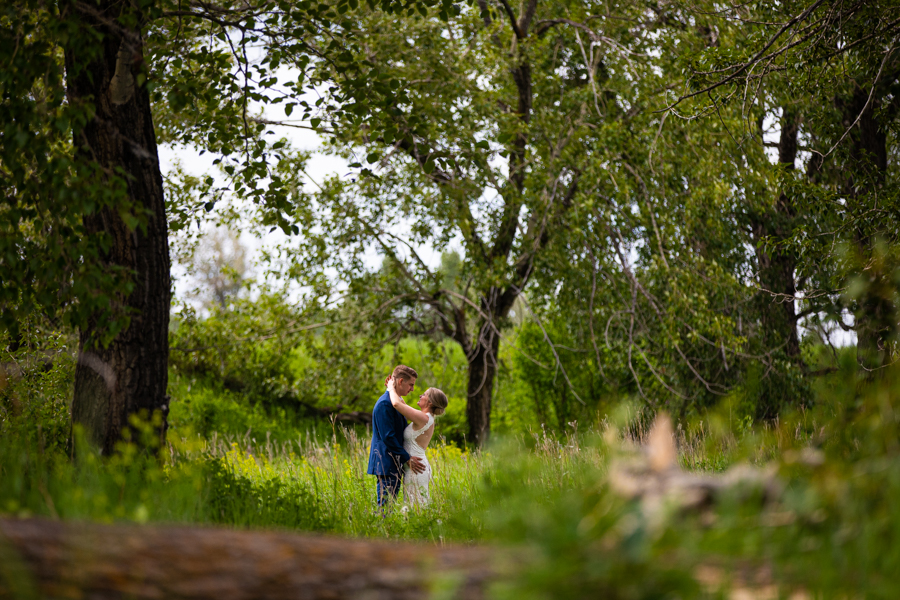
(681,192)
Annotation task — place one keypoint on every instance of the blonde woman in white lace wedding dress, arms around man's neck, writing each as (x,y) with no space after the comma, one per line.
(416,437)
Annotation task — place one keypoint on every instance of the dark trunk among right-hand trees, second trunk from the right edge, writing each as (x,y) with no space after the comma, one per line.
(777,267)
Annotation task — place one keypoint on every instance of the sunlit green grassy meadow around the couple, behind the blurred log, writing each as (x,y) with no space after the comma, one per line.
(830,530)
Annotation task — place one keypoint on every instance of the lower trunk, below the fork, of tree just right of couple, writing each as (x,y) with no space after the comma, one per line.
(482,371)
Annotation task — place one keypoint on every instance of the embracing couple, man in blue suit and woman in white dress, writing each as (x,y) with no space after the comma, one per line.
(397,454)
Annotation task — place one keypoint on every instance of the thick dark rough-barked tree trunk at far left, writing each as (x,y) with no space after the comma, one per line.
(129,376)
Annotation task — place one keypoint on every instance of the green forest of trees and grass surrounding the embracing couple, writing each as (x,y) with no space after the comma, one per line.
(637,207)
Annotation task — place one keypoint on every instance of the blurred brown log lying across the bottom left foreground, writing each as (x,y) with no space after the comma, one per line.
(52,559)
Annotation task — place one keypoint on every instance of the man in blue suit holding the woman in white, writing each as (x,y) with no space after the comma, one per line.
(387,456)
